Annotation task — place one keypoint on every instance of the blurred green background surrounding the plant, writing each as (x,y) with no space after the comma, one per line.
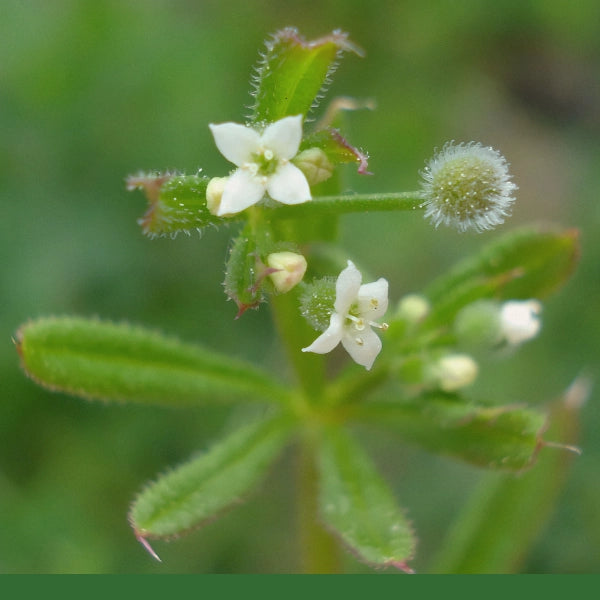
(93,91)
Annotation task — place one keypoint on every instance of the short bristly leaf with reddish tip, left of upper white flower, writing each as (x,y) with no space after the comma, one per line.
(177,203)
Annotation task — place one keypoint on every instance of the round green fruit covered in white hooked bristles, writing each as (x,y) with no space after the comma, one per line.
(467,186)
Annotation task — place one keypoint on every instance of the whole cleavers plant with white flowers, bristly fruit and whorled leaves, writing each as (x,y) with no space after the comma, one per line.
(411,368)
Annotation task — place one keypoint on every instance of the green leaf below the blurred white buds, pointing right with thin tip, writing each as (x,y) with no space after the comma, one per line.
(499,437)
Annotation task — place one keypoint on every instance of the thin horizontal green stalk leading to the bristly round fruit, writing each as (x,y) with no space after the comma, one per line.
(325,205)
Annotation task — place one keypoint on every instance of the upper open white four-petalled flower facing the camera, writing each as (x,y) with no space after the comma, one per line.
(263,161)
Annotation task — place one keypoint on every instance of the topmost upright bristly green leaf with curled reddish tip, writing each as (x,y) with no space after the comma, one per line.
(293,72)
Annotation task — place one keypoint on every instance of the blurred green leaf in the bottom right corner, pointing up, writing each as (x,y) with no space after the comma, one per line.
(506,513)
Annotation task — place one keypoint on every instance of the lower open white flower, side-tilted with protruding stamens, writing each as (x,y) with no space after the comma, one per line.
(355,309)
